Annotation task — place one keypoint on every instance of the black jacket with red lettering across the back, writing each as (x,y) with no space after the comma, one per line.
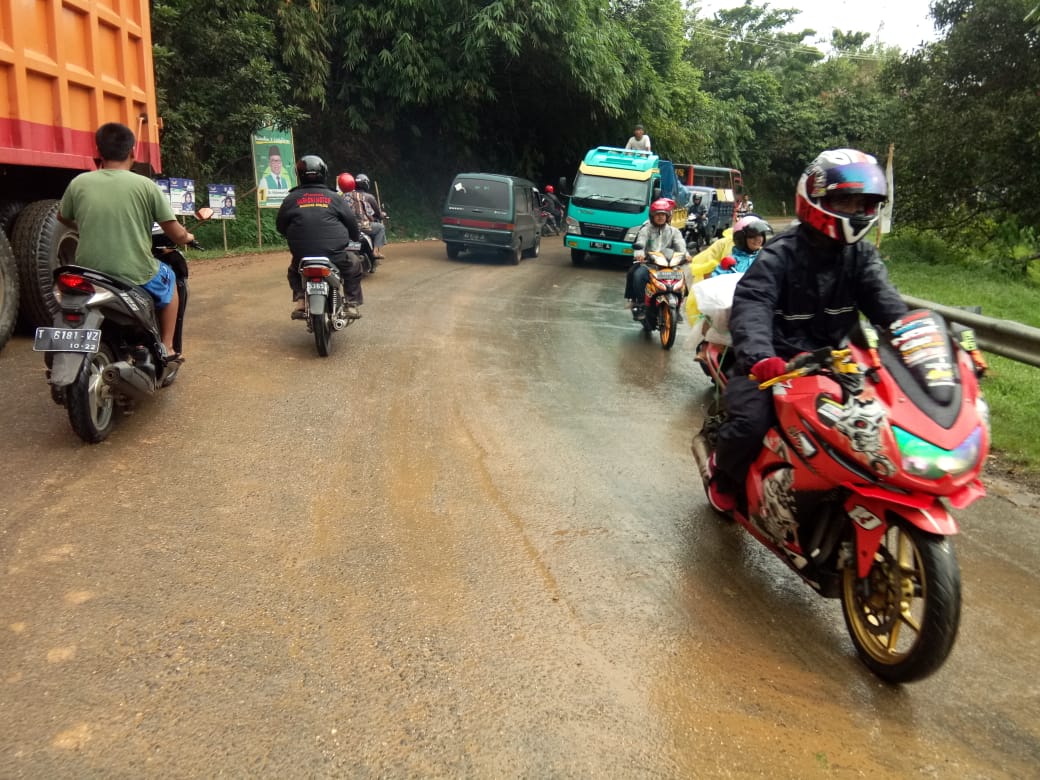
(317,222)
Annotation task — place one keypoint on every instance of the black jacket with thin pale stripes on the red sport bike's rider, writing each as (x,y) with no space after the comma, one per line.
(805,292)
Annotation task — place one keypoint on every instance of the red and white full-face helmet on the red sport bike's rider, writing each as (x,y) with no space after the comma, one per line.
(835,173)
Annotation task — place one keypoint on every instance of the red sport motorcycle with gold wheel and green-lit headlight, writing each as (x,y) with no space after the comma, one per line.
(873,439)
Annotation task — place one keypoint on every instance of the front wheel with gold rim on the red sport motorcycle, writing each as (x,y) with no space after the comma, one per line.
(914,588)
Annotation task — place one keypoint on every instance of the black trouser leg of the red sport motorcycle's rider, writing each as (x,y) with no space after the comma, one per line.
(750,415)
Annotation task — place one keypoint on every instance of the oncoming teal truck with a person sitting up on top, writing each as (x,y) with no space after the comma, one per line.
(611,200)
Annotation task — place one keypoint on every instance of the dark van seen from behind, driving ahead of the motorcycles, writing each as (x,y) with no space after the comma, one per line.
(492,213)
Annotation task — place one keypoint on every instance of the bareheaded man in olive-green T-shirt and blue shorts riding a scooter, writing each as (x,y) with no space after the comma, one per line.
(114,210)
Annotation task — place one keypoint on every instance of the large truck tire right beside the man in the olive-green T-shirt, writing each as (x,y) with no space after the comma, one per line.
(41,244)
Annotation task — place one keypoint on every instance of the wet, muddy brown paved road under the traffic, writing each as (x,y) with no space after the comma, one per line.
(467,544)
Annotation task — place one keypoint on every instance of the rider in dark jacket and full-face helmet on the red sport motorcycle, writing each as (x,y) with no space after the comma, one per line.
(803,293)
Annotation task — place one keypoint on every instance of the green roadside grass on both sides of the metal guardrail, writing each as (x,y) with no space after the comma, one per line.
(1010,387)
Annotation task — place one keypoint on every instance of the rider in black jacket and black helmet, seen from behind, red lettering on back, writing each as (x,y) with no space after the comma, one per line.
(317,223)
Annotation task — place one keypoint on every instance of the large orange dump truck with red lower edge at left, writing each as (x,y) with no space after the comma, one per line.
(67,67)
